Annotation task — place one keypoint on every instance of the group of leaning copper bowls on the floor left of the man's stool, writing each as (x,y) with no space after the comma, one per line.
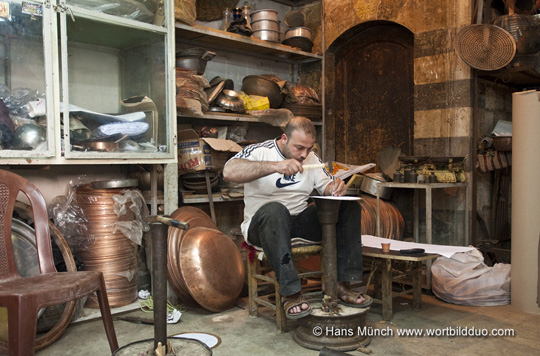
(204,266)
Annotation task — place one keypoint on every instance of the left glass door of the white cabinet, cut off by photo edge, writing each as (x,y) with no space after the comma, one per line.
(26,126)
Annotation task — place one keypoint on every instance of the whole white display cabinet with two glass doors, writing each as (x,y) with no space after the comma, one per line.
(87,81)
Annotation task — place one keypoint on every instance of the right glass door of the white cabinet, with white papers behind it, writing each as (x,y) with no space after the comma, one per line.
(114,87)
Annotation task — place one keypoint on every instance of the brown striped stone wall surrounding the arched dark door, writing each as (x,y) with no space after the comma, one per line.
(443,90)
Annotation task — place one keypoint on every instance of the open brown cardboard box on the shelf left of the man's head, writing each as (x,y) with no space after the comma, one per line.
(199,154)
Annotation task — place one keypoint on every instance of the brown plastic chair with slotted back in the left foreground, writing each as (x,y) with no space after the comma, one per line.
(25,296)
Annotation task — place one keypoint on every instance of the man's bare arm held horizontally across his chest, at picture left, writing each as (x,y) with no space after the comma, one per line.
(241,170)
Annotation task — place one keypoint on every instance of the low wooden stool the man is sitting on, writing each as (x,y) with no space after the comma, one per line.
(259,273)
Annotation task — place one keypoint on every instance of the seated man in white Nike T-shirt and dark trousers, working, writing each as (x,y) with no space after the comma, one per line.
(276,193)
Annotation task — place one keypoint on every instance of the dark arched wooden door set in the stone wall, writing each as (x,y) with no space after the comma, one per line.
(372,103)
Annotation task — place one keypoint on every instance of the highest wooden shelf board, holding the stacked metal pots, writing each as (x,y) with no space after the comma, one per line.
(208,37)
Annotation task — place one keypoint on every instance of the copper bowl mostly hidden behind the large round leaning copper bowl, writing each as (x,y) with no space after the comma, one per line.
(196,218)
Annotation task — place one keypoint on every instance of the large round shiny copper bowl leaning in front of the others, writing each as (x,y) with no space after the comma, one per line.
(212,268)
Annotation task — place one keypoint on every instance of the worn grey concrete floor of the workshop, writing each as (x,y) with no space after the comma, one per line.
(242,335)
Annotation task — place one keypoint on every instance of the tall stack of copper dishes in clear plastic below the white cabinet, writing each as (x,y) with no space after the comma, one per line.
(107,249)
